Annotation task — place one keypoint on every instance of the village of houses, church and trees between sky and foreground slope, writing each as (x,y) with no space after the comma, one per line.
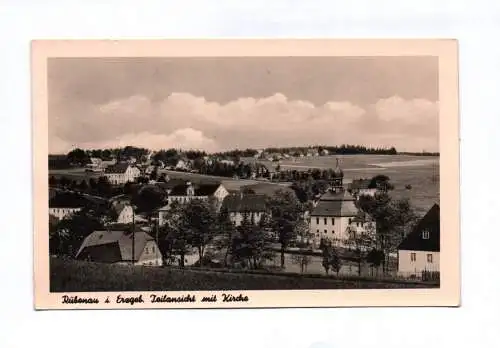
(238,210)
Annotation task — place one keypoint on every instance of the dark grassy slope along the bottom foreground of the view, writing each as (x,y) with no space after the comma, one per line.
(77,276)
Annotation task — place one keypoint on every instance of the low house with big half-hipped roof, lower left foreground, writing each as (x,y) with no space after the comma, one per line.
(120,246)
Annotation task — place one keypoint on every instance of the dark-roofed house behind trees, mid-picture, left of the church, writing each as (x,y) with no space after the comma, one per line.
(241,206)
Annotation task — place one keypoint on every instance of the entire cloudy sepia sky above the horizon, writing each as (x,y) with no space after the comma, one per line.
(224,103)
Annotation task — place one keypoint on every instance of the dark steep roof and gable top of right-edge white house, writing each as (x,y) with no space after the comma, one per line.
(414,240)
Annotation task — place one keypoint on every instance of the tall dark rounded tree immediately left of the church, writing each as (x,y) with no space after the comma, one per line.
(286,212)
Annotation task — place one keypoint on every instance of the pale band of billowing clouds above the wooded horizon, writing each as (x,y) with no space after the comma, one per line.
(188,121)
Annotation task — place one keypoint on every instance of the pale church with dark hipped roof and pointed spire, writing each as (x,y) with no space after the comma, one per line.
(336,216)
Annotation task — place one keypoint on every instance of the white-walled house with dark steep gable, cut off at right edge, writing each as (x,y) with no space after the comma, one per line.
(419,251)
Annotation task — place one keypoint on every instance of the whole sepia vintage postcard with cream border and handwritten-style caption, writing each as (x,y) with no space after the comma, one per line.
(245,173)
